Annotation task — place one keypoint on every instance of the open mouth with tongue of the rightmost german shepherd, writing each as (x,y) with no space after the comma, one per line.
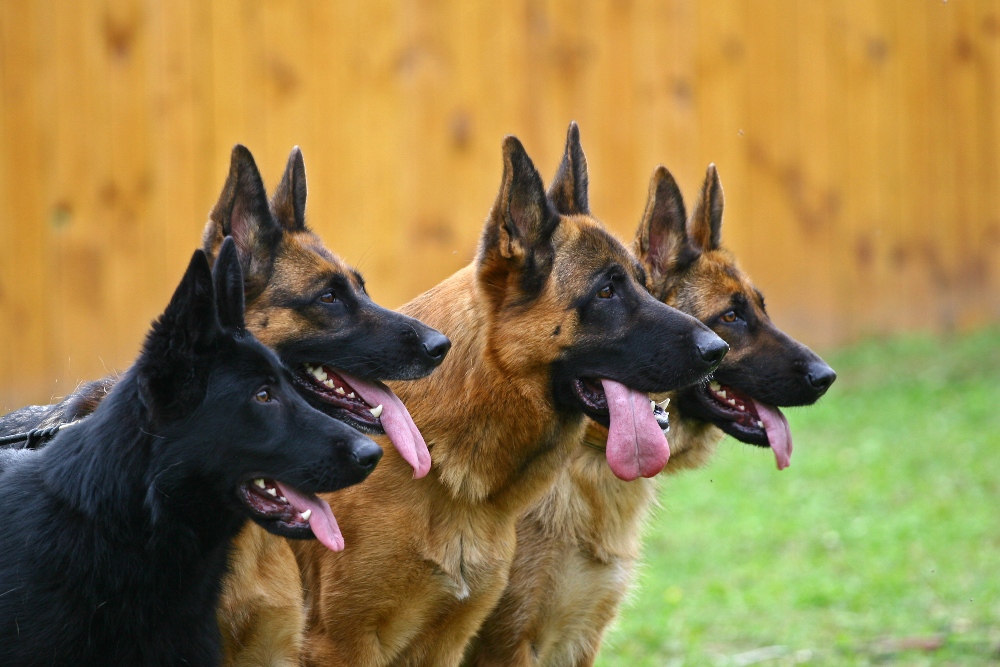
(747,420)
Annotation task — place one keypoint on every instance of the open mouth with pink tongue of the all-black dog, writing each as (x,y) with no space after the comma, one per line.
(286,511)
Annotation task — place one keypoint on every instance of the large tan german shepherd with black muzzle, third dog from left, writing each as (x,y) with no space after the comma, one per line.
(552,322)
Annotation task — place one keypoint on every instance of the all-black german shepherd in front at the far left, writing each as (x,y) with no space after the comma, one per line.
(116,534)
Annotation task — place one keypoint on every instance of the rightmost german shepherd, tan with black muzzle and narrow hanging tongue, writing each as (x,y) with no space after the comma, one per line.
(577,548)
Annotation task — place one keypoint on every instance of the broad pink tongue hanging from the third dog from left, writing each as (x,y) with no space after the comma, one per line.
(636,445)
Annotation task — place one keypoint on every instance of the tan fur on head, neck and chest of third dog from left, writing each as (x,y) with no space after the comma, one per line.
(426,560)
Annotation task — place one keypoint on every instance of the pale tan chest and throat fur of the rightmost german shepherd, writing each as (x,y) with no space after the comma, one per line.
(577,551)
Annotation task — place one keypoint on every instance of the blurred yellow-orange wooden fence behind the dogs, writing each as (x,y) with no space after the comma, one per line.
(858,143)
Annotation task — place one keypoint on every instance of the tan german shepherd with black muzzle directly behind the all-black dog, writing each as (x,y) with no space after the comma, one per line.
(312,309)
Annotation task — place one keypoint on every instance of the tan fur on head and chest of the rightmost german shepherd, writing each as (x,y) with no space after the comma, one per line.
(577,549)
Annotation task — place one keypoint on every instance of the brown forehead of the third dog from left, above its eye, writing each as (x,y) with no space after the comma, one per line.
(586,248)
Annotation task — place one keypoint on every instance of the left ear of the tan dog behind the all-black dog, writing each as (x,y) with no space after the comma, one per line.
(243,213)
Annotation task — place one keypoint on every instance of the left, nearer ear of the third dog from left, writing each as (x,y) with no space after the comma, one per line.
(518,233)
